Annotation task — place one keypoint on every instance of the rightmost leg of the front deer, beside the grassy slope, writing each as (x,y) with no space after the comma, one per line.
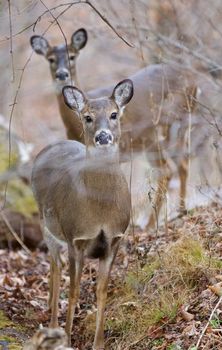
(105,266)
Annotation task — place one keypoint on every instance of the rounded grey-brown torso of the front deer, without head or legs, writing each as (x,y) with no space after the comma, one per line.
(78,199)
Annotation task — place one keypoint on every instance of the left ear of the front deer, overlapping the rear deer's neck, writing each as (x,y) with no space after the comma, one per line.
(74,98)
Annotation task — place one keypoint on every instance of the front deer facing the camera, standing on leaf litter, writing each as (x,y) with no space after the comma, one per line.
(83,197)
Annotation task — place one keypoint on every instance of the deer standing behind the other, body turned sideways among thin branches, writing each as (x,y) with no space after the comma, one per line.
(163,95)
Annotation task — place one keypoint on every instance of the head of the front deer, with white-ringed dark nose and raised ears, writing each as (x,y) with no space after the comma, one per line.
(100,117)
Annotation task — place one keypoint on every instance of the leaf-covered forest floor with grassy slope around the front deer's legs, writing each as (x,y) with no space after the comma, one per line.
(168,296)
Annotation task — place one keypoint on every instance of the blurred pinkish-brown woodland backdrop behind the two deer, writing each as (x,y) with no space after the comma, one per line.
(185,33)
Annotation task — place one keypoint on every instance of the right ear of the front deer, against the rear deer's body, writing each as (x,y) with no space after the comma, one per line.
(123,92)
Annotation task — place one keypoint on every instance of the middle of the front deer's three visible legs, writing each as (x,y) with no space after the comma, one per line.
(75,271)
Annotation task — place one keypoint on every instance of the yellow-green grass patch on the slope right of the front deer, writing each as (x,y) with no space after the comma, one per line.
(152,295)
